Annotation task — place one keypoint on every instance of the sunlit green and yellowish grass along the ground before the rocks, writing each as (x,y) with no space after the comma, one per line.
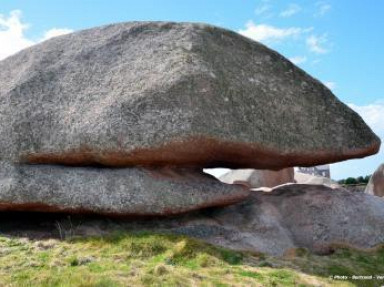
(131,259)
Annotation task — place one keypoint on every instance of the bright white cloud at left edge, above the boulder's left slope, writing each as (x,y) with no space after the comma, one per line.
(12,37)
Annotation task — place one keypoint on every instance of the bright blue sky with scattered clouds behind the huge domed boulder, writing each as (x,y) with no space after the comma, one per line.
(340,42)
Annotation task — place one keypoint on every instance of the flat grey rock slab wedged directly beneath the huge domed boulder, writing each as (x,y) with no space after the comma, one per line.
(125,191)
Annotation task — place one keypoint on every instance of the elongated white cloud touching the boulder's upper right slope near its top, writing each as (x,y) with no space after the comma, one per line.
(268,33)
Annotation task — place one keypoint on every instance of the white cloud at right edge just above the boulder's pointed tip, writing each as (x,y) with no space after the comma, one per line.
(373,115)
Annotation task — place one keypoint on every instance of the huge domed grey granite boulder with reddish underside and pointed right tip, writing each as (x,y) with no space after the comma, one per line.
(158,93)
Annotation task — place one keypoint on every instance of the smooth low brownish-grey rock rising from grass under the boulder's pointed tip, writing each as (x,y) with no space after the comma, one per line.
(293,215)
